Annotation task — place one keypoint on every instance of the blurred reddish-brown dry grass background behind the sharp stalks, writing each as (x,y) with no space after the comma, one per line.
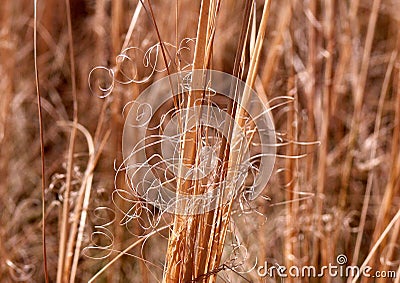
(338,59)
